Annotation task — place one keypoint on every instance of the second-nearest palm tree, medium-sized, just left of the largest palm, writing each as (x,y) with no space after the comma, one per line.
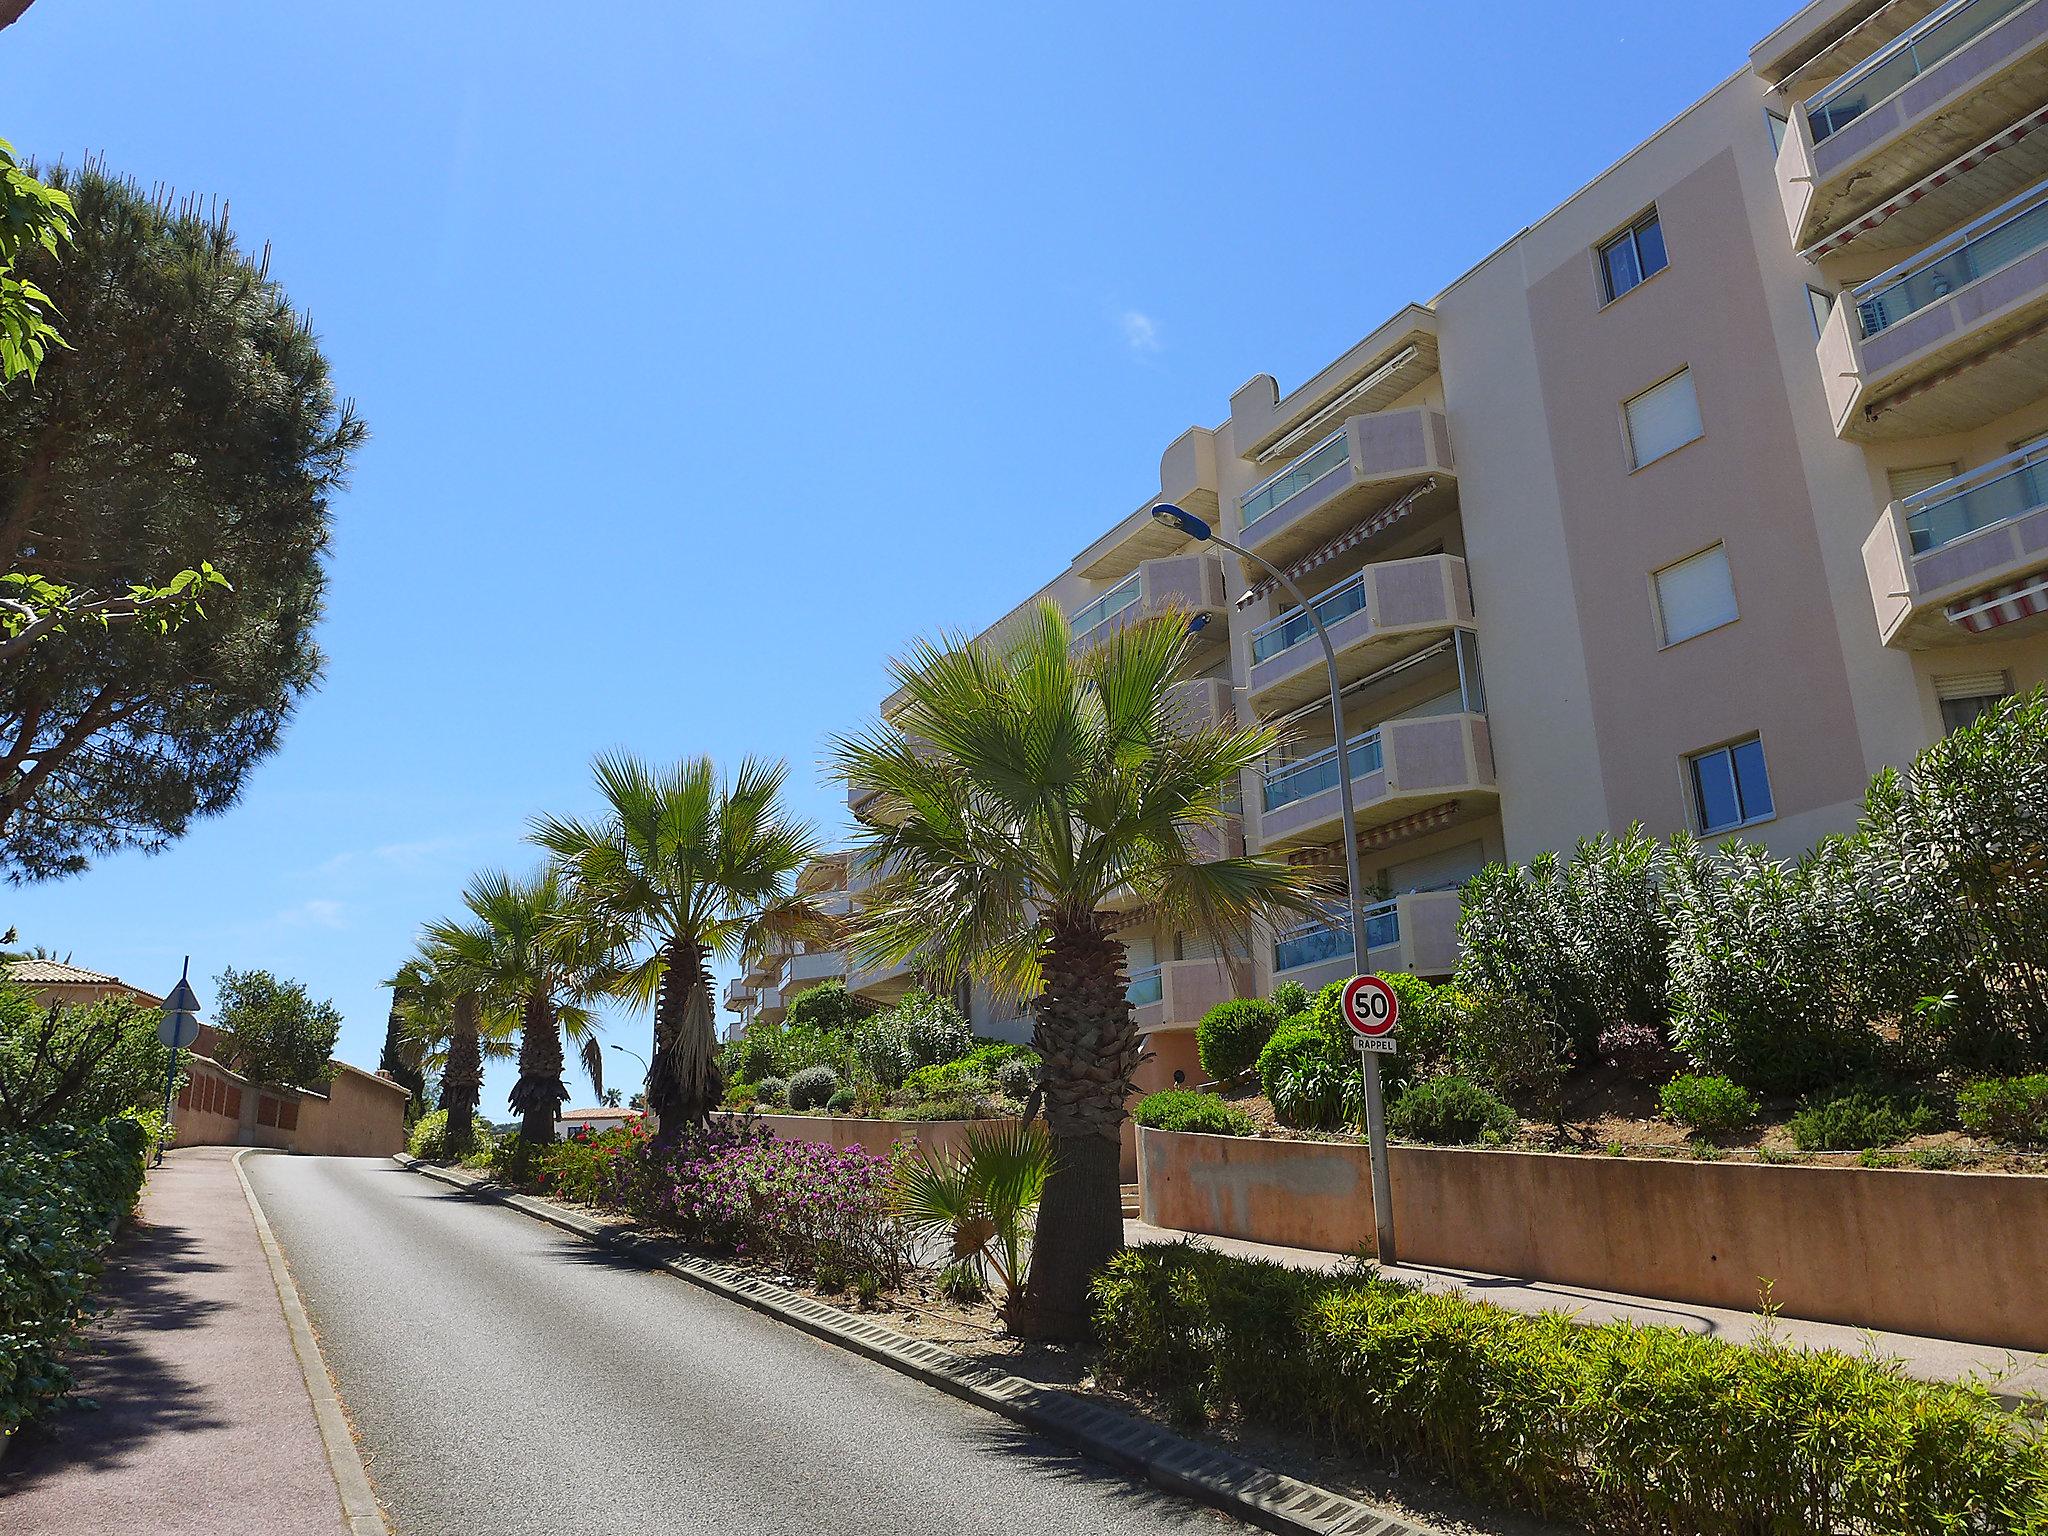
(685,869)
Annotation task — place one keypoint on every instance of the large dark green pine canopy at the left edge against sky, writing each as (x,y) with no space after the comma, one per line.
(189,427)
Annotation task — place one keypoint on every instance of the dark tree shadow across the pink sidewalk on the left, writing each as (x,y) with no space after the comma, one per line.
(126,1392)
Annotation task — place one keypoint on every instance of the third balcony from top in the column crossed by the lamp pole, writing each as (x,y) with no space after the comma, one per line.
(1398,769)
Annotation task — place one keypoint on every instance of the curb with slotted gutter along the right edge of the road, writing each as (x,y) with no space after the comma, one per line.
(1105,1435)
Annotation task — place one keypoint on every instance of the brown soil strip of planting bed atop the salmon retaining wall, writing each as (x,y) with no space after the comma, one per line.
(1609,1113)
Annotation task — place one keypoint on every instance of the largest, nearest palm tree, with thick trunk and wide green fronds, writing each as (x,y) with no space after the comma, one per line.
(1017,790)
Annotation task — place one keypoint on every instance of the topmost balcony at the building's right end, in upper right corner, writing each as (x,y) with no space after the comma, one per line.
(1934,93)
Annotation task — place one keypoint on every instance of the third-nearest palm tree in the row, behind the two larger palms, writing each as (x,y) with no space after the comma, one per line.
(523,953)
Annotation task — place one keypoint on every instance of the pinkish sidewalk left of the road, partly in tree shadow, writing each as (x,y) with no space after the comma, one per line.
(204,1424)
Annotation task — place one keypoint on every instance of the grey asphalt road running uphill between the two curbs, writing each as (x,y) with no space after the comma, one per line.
(507,1377)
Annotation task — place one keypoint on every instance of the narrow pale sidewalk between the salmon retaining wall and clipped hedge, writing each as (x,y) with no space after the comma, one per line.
(2010,1375)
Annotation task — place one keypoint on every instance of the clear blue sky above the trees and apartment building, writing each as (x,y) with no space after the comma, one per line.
(712,353)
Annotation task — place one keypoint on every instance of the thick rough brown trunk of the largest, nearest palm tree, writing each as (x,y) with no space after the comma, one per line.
(1089,1039)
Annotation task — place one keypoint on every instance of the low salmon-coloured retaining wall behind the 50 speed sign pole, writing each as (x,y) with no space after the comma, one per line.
(1951,1256)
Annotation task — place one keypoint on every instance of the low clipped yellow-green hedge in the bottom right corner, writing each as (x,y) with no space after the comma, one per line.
(1617,1428)
